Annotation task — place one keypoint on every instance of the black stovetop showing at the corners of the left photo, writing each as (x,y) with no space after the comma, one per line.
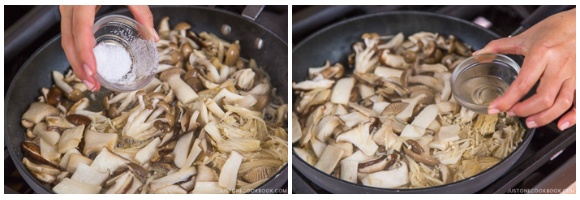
(274,18)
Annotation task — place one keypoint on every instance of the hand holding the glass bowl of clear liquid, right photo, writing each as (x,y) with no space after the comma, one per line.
(549,48)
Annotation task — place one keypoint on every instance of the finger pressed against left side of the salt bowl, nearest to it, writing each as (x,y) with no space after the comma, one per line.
(84,41)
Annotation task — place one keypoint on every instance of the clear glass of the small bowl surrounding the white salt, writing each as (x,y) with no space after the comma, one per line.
(139,43)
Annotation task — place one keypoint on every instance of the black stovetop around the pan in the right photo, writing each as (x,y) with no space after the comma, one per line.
(549,163)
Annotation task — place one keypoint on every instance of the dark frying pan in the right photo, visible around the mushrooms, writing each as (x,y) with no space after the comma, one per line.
(334,43)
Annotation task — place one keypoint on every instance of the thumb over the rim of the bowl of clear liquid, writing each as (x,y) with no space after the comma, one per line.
(508,45)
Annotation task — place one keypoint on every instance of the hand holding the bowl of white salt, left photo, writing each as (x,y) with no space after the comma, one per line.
(78,40)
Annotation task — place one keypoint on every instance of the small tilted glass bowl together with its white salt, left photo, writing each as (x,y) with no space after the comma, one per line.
(126,55)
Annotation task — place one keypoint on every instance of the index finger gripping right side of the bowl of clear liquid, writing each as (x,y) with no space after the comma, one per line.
(532,68)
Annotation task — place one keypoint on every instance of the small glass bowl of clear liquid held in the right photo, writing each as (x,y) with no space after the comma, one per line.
(480,79)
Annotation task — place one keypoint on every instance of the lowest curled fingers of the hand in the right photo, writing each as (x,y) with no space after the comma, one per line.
(563,102)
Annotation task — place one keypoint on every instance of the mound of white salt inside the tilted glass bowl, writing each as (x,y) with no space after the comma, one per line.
(114,63)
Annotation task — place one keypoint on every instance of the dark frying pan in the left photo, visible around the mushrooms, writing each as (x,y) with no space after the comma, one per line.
(36,73)
